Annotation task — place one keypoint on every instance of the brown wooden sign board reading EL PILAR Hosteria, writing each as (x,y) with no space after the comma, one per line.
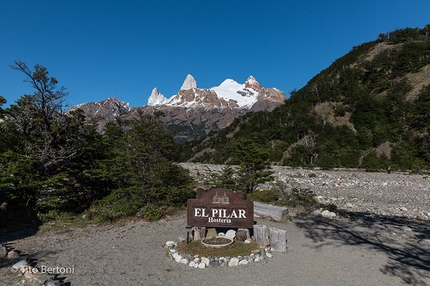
(220,208)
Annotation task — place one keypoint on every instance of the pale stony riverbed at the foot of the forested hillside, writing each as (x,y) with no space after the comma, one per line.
(396,194)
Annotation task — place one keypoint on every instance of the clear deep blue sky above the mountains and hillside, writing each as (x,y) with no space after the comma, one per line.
(98,49)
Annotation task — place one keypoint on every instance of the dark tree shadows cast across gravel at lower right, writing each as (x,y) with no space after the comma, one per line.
(398,238)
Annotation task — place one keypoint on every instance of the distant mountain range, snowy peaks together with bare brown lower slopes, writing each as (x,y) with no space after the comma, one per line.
(194,112)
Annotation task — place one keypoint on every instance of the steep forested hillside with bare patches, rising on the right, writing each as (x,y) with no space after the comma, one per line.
(369,109)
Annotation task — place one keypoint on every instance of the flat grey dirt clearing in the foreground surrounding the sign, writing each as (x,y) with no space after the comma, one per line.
(320,252)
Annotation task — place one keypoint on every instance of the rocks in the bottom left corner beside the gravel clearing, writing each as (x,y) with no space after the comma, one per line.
(28,275)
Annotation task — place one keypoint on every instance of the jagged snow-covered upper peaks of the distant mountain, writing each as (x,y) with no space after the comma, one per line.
(229,94)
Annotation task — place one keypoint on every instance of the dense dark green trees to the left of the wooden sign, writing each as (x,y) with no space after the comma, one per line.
(54,164)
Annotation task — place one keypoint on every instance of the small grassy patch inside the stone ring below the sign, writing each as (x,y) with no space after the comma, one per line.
(238,248)
